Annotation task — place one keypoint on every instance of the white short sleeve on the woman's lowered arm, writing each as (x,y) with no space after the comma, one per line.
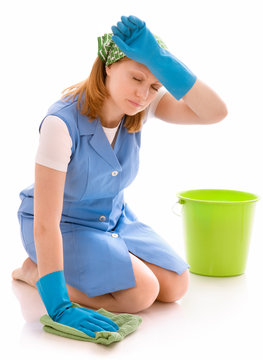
(54,149)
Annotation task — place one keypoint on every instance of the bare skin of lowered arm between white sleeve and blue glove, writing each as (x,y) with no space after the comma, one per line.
(48,202)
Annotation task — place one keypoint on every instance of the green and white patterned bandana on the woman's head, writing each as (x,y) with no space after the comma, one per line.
(109,52)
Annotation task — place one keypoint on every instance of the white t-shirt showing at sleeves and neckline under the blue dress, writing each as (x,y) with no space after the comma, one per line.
(54,149)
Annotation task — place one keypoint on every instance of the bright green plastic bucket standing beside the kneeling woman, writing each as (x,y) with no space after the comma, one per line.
(217,226)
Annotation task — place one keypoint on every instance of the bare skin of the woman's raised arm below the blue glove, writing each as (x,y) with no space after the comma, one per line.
(200,105)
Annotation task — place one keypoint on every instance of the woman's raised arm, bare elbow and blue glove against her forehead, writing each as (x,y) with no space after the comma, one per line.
(189,101)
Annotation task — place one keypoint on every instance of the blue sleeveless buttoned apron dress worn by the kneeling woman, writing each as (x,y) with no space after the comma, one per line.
(97,226)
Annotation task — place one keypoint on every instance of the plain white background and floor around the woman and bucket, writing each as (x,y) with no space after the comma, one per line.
(49,45)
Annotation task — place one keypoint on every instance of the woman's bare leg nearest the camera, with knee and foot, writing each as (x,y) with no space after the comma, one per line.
(130,300)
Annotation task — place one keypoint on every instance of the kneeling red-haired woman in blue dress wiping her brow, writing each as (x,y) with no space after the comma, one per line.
(84,242)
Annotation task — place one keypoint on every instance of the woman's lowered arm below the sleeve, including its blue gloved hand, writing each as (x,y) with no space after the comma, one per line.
(48,203)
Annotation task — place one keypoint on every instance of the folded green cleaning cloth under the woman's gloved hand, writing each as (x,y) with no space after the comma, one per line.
(127,323)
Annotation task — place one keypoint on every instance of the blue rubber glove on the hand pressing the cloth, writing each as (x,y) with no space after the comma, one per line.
(53,291)
